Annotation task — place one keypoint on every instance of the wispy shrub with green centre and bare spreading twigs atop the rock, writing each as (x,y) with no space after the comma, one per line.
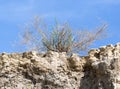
(61,38)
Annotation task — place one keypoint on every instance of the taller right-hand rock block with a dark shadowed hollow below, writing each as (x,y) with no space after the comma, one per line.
(102,69)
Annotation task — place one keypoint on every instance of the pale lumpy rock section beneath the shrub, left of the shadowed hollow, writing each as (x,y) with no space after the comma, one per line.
(31,70)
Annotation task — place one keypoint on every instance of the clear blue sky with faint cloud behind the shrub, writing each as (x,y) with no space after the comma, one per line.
(80,14)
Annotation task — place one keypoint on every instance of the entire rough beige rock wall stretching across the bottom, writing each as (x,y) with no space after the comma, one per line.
(52,70)
